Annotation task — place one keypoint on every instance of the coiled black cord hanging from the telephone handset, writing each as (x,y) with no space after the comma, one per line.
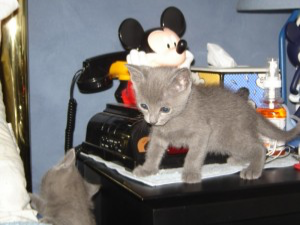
(71,115)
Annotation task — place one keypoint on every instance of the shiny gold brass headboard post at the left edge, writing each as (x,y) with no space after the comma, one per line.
(14,80)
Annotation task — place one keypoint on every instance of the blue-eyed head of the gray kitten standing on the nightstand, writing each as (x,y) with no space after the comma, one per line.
(161,92)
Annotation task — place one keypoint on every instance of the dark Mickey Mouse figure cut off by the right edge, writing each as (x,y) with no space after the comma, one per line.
(293,51)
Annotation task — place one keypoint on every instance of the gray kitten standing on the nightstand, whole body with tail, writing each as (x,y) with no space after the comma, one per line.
(204,119)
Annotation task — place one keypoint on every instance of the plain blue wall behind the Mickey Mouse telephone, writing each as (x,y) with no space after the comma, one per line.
(64,33)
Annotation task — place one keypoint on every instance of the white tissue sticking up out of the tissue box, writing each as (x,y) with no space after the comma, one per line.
(218,57)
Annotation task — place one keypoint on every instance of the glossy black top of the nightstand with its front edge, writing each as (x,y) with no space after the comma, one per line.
(272,182)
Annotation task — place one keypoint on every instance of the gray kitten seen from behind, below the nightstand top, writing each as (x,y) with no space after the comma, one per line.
(65,197)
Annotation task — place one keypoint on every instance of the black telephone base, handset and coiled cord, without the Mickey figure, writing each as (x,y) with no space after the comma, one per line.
(118,133)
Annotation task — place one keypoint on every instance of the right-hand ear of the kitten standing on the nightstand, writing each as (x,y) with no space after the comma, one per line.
(181,80)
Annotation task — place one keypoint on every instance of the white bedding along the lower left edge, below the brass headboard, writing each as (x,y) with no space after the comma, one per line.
(14,199)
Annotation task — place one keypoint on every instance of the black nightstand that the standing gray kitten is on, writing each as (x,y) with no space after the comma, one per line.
(272,199)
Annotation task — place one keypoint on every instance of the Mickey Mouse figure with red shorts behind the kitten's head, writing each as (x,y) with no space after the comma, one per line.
(160,46)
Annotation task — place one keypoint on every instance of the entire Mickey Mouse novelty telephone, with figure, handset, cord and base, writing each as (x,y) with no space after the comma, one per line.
(119,133)
